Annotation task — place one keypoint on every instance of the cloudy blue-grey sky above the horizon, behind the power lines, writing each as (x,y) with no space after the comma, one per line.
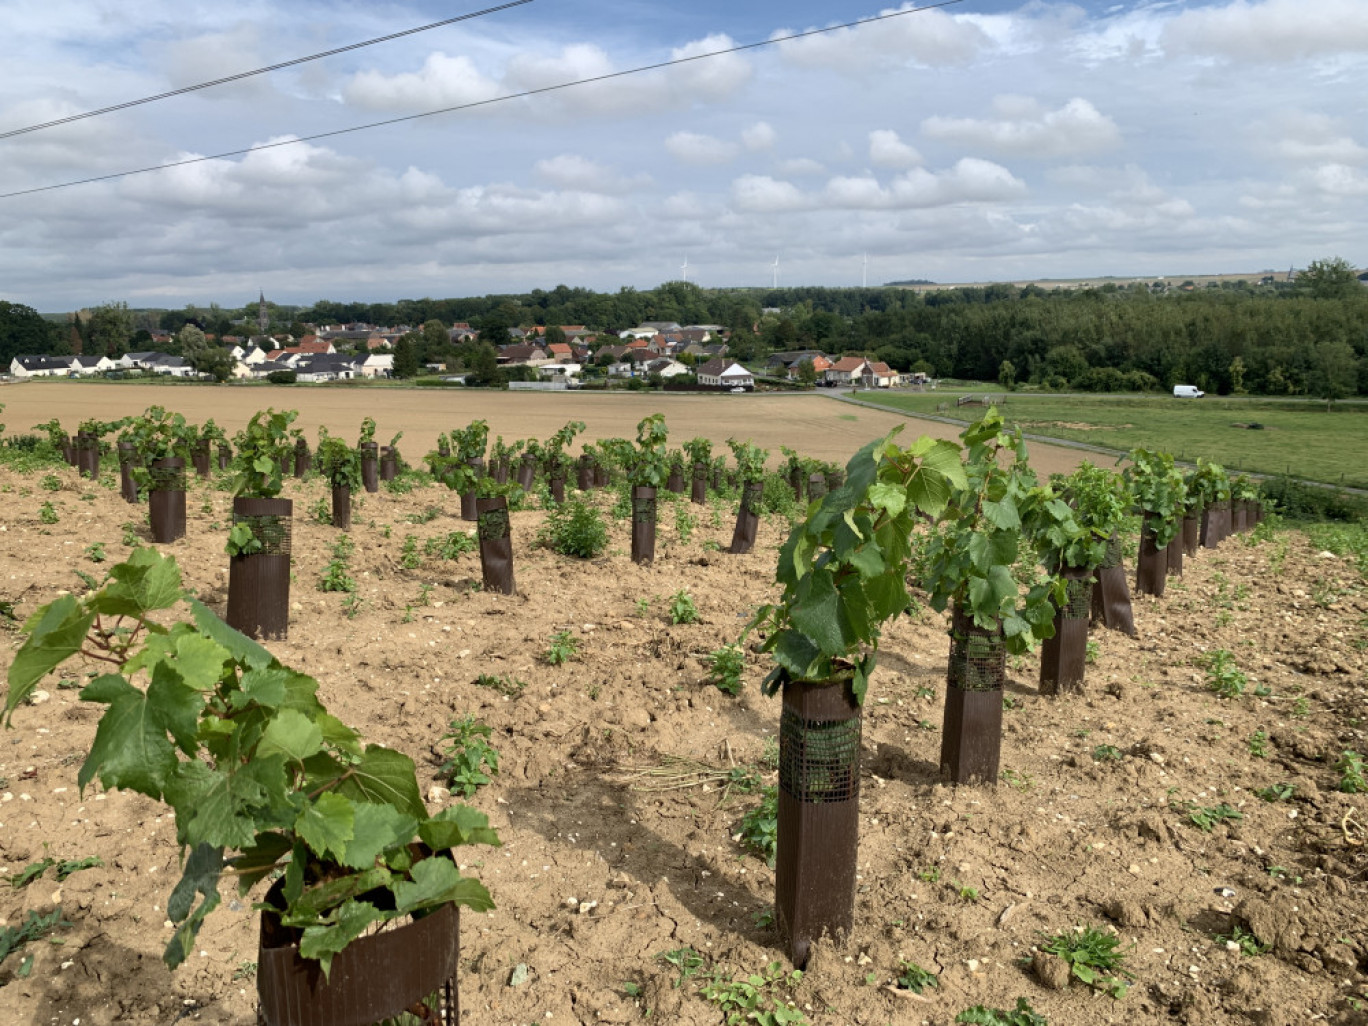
(980,142)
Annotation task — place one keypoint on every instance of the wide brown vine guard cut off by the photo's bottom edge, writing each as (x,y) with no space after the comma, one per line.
(408,969)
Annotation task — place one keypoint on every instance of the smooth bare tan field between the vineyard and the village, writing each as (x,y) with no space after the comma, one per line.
(815,425)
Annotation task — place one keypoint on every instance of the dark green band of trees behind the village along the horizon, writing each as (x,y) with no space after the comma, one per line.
(1310,337)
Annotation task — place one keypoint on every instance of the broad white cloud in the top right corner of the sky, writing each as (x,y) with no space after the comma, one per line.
(1273,32)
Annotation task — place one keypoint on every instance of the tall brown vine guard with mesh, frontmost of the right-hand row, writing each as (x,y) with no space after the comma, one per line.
(819,815)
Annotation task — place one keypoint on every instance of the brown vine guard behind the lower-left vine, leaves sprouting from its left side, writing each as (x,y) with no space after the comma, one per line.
(259,583)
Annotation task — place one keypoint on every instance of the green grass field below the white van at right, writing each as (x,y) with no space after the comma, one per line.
(1298,438)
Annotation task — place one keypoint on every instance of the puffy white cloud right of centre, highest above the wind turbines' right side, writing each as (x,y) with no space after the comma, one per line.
(1024,129)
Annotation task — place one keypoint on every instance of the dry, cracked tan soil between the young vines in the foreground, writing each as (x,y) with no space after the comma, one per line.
(961,882)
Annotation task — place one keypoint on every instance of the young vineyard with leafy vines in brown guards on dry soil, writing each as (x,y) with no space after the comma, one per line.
(1166,824)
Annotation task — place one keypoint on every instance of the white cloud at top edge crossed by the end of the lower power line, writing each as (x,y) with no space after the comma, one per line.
(930,39)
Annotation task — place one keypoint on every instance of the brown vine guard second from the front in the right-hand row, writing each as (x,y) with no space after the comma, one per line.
(972,734)
